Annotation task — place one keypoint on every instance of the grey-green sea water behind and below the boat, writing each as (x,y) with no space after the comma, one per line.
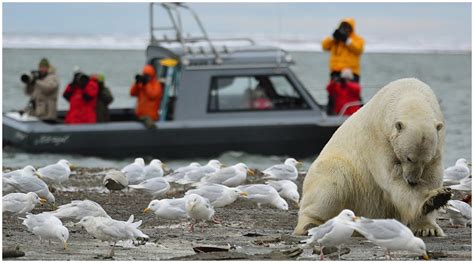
(449,75)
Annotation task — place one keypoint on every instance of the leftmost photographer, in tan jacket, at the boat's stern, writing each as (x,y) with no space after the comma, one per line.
(42,86)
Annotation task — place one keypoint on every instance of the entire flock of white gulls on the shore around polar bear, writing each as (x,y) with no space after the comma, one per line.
(208,187)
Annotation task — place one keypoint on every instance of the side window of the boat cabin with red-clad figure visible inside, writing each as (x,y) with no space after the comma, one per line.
(254,93)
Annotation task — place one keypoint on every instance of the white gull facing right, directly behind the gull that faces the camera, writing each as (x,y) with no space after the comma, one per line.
(218,195)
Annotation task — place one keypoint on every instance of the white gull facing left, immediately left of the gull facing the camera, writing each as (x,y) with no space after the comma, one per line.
(170,209)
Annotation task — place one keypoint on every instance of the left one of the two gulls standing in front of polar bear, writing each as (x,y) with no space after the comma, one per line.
(332,233)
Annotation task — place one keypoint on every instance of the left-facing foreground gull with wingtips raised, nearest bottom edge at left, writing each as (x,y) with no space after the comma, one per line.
(107,229)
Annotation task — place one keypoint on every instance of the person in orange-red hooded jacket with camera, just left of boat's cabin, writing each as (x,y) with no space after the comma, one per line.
(149,92)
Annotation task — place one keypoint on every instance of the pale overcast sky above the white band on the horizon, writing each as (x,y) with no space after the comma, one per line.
(383,20)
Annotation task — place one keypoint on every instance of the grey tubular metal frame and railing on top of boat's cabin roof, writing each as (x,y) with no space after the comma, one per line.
(175,15)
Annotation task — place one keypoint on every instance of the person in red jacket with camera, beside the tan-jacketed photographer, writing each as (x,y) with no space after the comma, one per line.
(82,96)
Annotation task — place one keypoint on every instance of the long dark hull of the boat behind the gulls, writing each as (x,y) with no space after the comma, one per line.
(176,140)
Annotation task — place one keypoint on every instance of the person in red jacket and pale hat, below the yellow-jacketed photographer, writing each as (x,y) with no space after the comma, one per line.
(344,91)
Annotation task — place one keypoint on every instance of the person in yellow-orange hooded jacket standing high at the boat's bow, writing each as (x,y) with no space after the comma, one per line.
(346,47)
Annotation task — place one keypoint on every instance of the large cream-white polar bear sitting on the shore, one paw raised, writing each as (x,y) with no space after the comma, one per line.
(385,161)
